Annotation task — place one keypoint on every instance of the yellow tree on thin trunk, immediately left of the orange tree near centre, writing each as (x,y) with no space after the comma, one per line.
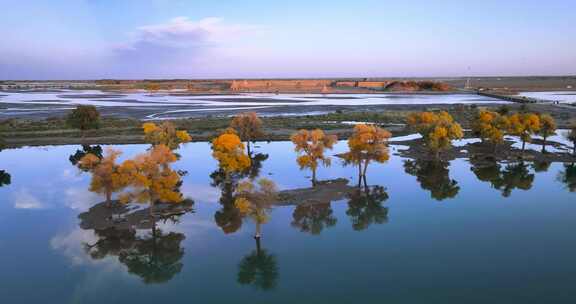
(310,146)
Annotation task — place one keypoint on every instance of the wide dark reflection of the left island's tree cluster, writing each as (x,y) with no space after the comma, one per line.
(135,239)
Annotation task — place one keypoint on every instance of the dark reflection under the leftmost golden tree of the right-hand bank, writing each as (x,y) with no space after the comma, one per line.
(433,175)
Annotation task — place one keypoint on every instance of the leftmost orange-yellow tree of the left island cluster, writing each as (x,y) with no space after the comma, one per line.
(107,177)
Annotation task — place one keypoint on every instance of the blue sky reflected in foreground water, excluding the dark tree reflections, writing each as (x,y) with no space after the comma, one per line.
(479,233)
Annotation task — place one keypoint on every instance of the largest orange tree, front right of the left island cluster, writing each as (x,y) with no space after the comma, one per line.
(151,178)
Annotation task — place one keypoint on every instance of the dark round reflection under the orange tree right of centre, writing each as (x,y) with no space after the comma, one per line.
(365,207)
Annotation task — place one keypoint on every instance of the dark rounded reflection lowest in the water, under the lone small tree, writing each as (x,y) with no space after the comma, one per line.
(258,269)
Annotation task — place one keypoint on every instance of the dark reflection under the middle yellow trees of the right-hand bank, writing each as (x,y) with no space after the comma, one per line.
(513,176)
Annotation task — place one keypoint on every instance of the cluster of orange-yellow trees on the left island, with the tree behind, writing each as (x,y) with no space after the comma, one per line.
(147,178)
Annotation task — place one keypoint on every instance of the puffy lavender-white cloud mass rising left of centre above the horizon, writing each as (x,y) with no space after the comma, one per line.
(178,48)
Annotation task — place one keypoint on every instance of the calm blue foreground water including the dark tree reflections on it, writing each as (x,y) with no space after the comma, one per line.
(435,233)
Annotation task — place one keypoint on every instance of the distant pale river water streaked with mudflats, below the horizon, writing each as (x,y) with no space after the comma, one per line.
(181,104)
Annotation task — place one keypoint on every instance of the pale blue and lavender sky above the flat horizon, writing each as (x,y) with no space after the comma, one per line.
(135,39)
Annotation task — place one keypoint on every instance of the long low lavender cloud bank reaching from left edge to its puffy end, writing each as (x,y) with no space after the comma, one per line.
(179,47)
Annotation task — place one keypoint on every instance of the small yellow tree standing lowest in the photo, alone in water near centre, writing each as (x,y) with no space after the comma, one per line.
(255,201)
